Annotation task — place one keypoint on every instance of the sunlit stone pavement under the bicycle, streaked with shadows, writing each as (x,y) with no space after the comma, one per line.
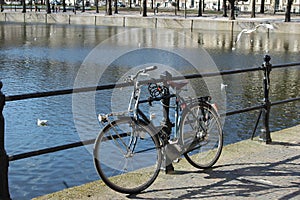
(245,170)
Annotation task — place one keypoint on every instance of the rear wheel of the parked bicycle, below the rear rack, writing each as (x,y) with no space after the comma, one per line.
(202,135)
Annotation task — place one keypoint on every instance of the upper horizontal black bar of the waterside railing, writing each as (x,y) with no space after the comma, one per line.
(111,86)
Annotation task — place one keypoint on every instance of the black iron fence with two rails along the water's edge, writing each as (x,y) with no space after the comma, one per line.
(264,108)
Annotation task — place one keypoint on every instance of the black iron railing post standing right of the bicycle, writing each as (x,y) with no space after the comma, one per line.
(265,131)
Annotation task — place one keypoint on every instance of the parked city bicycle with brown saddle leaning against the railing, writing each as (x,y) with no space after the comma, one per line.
(129,151)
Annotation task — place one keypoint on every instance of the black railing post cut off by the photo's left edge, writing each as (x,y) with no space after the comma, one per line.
(4,192)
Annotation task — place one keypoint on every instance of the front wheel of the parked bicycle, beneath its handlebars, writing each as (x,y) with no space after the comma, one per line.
(127,156)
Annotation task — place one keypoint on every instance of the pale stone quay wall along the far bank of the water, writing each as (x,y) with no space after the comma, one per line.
(221,24)
